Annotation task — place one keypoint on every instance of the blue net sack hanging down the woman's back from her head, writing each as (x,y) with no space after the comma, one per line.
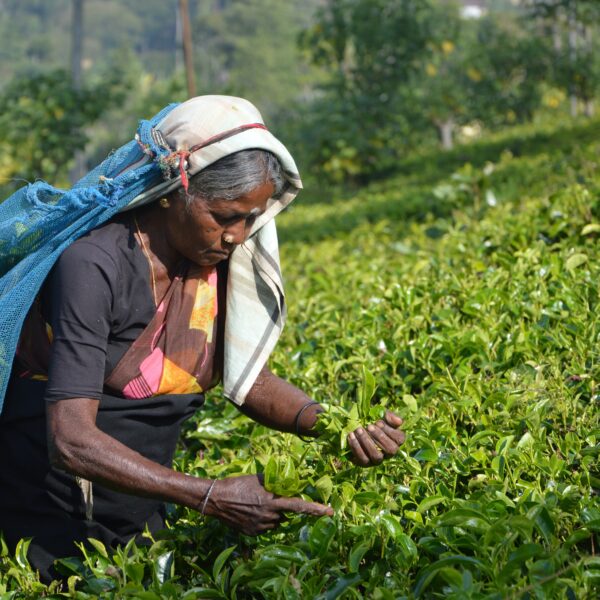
(39,221)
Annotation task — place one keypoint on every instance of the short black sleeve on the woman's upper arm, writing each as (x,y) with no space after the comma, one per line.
(79,297)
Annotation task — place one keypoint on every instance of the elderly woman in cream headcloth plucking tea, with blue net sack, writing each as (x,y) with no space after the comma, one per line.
(167,283)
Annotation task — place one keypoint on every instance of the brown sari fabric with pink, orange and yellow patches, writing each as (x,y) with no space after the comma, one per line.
(175,354)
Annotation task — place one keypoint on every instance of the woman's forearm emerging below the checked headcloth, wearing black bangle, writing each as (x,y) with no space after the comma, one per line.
(275,403)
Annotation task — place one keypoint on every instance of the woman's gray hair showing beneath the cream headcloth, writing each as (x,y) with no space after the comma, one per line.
(236,175)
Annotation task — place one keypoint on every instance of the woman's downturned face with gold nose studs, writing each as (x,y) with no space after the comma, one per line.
(207,232)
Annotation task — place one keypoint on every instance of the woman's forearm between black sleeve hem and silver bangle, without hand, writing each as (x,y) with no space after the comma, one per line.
(79,447)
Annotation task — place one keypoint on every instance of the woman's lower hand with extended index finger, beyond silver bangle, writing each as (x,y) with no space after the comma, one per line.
(244,504)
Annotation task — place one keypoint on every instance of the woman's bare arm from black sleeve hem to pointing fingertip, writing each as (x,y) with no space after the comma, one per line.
(78,446)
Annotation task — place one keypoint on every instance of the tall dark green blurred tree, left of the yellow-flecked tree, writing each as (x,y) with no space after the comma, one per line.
(369,49)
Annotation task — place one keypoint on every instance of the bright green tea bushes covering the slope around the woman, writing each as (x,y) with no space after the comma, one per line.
(463,294)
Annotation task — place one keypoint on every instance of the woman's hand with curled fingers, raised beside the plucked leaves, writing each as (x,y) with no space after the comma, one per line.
(372,444)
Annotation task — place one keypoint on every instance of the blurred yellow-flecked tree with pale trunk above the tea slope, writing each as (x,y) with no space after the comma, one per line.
(487,70)
